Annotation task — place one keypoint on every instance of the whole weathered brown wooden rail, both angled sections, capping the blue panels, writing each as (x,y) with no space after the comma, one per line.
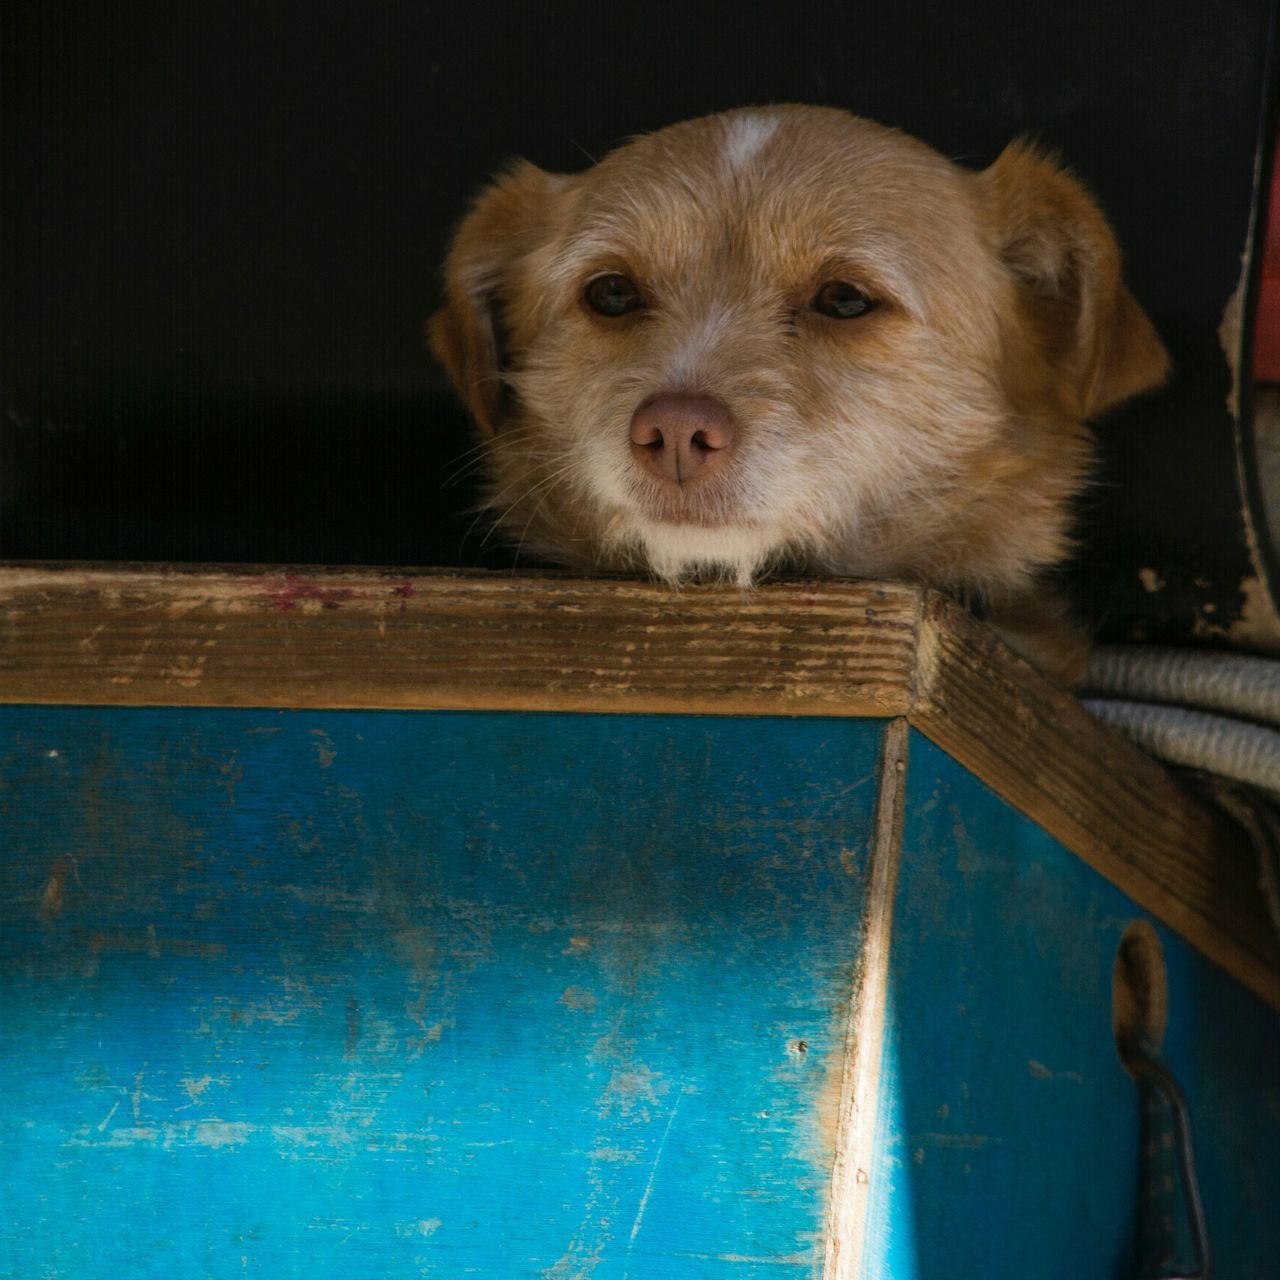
(303,638)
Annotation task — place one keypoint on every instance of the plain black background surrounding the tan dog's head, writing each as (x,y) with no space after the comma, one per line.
(222,227)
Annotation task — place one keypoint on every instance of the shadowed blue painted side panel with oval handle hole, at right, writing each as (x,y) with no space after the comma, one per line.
(1009,1131)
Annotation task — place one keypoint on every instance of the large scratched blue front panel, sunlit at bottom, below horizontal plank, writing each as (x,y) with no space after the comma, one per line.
(423,995)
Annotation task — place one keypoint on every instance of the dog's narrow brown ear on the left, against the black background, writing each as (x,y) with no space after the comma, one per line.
(468,333)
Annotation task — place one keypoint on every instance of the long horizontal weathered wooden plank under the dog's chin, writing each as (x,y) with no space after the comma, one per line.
(168,636)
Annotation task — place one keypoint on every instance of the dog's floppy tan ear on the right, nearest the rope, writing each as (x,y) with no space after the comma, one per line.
(1057,243)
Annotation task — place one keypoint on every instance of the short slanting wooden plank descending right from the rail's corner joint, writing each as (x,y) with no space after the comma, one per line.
(1107,801)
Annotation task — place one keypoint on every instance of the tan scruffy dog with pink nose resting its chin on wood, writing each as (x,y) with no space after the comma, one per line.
(788,339)
